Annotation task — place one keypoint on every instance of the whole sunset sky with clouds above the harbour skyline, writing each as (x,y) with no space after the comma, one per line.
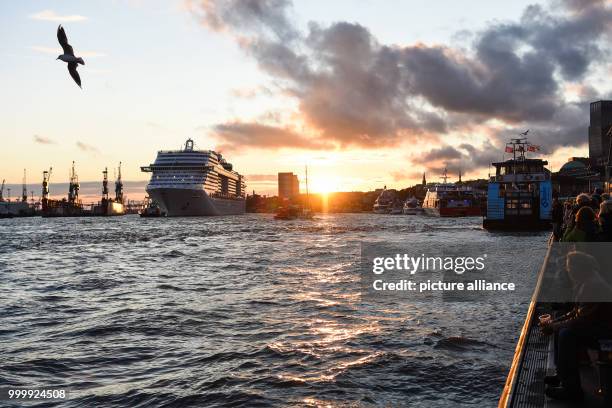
(366,93)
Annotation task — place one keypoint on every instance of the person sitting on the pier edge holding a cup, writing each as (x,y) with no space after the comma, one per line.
(590,319)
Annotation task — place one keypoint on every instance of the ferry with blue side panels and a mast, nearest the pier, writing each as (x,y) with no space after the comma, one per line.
(520,192)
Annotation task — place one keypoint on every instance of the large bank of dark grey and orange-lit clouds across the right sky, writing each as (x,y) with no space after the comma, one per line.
(354,91)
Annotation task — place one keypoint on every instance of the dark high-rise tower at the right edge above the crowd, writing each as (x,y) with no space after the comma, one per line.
(599,138)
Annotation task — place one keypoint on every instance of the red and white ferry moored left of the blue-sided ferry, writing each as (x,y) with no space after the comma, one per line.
(451,200)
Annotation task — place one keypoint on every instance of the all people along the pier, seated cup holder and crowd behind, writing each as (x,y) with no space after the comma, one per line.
(588,319)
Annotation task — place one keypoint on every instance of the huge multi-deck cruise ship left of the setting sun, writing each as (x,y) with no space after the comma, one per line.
(192,182)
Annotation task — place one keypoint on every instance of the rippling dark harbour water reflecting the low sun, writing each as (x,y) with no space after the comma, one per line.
(241,311)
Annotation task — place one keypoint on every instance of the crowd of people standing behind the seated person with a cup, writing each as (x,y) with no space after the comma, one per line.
(587,219)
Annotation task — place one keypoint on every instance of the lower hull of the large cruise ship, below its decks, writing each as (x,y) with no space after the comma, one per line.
(179,202)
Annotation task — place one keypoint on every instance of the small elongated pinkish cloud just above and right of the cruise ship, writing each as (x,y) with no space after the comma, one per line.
(240,135)
